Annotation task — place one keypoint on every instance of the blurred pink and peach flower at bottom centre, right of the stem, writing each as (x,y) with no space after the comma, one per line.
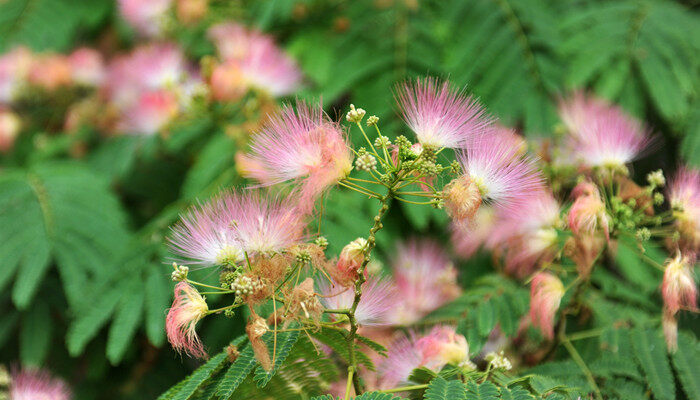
(440,347)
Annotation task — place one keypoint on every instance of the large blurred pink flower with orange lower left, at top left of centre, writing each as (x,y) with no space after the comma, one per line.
(252,60)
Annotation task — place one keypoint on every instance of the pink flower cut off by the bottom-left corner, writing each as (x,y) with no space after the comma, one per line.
(35,384)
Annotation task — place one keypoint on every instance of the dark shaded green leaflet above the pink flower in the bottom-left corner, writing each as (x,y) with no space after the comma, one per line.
(35,336)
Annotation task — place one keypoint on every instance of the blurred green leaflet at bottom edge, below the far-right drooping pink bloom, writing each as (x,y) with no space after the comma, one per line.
(650,353)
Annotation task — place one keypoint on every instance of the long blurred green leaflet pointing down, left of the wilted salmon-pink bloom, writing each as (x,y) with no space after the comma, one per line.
(126,321)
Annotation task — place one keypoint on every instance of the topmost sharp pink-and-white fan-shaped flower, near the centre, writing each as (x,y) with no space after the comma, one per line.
(439,115)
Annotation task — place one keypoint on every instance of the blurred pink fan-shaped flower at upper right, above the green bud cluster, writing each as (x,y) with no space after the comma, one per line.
(601,134)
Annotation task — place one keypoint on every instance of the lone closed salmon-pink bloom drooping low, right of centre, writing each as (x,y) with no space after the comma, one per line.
(545,296)
